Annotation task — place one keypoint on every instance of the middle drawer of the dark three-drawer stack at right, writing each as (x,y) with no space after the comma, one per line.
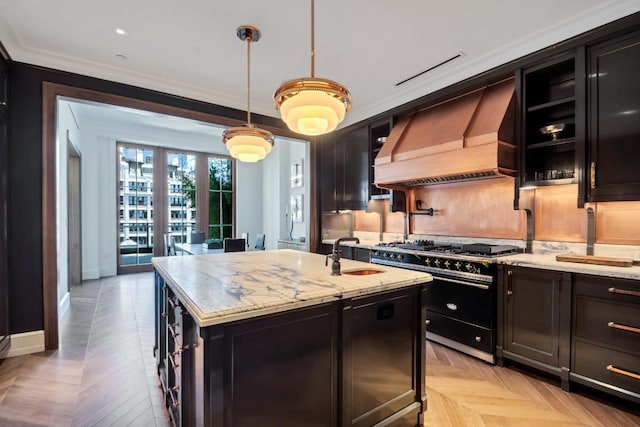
(608,323)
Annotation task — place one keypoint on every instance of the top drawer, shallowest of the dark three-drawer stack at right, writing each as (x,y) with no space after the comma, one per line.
(621,290)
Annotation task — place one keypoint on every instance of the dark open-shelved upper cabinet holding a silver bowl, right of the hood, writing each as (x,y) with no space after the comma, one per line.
(549,122)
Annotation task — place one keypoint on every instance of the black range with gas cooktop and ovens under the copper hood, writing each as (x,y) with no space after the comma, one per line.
(461,300)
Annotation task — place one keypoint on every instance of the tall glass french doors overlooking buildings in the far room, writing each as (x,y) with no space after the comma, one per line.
(169,193)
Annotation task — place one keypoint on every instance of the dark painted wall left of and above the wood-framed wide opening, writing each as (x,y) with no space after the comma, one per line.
(25,176)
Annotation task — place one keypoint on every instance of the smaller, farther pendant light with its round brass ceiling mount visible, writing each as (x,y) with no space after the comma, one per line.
(248,143)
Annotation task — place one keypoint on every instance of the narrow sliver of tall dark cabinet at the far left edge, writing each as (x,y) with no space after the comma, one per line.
(4,172)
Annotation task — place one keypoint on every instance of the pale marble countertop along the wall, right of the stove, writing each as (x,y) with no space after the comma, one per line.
(548,262)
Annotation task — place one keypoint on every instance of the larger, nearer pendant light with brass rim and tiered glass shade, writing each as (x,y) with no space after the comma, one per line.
(311,105)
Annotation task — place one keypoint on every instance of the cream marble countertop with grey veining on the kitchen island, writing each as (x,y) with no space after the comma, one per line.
(220,288)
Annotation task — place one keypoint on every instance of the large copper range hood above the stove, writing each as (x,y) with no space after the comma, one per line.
(466,138)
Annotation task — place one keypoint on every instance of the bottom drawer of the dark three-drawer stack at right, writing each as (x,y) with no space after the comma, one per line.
(592,361)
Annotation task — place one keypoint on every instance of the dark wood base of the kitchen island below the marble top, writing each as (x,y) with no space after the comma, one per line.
(357,361)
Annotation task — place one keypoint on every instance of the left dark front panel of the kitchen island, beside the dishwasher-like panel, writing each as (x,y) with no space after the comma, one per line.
(281,367)
